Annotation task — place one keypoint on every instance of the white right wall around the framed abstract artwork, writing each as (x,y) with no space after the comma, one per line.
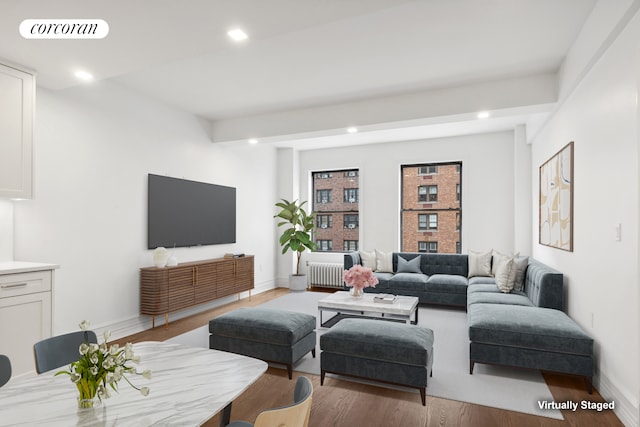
(602,276)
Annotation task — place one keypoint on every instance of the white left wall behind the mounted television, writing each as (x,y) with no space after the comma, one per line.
(95,146)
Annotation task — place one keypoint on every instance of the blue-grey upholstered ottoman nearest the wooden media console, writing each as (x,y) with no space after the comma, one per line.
(277,336)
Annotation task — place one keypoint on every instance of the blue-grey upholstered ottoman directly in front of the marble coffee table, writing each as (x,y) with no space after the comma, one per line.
(379,350)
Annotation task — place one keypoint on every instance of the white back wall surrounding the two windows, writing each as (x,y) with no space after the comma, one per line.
(487,186)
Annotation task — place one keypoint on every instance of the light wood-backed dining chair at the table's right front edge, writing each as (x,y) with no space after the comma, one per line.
(294,415)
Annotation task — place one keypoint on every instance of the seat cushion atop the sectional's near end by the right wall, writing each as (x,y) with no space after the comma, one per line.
(527,327)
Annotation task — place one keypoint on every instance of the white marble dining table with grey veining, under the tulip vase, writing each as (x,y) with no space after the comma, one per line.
(188,386)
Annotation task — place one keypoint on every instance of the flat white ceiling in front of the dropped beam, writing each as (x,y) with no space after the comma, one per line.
(300,53)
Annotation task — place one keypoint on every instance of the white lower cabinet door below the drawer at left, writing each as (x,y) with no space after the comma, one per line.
(24,320)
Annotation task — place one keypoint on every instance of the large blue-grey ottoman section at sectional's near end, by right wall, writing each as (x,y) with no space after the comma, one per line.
(529,337)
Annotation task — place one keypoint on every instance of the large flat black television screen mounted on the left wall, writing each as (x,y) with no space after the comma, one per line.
(189,213)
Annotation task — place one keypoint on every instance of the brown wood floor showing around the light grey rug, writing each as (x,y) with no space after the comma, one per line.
(347,403)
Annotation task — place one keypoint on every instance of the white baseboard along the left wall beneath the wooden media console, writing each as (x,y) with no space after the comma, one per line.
(133,325)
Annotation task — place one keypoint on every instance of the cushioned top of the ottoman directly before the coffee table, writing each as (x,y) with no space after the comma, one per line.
(380,340)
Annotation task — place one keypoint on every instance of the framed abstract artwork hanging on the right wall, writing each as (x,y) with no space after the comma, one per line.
(556,200)
